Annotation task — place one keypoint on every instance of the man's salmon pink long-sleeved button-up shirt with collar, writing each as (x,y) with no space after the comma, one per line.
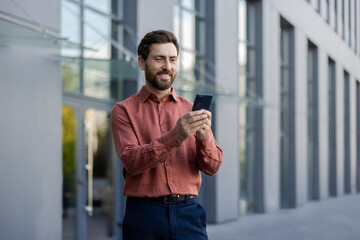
(155,163)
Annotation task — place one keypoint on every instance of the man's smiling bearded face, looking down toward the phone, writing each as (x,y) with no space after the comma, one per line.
(161,65)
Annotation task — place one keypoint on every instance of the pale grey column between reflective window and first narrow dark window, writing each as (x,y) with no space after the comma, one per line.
(271,83)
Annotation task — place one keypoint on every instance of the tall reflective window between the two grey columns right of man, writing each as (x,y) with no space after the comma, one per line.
(250,113)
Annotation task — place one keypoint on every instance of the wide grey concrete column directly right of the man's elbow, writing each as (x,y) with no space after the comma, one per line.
(226,183)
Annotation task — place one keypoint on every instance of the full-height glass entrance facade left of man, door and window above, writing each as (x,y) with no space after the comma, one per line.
(98,69)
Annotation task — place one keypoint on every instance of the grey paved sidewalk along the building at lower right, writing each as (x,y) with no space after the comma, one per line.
(329,219)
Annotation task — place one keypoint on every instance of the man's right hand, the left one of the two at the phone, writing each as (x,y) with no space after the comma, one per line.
(190,123)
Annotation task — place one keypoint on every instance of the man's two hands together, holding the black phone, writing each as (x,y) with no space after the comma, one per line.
(195,121)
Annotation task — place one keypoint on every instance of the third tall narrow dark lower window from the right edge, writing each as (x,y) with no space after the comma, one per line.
(332,127)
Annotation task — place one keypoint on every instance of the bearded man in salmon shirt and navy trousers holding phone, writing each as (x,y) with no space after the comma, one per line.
(163,146)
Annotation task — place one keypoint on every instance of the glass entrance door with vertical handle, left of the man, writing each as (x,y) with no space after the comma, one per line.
(89,170)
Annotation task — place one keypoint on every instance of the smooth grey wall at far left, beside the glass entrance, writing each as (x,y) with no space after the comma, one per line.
(30,122)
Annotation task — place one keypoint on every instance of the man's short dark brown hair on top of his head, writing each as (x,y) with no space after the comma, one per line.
(158,36)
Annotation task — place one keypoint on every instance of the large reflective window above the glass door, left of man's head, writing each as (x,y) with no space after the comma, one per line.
(94,57)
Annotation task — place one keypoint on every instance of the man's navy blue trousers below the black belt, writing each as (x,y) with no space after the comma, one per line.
(146,219)
